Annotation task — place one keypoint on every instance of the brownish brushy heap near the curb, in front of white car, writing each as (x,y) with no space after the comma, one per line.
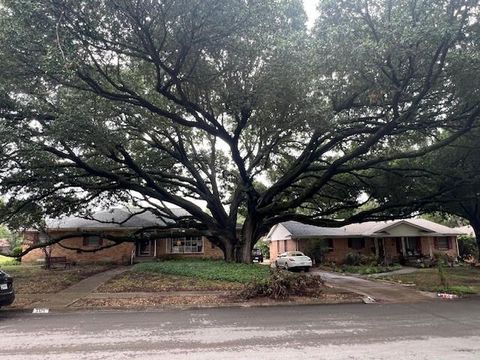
(282,284)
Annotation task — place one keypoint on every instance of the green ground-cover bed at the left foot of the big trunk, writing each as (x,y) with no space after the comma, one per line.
(207,270)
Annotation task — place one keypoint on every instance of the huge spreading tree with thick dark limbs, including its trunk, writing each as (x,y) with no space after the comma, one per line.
(226,105)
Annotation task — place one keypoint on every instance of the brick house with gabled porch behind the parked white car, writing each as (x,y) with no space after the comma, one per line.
(389,240)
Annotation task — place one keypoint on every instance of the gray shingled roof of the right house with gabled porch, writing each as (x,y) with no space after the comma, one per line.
(367,229)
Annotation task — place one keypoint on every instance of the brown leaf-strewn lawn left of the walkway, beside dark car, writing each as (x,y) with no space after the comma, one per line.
(36,280)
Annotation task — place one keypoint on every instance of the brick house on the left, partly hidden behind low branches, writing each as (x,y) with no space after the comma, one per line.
(155,243)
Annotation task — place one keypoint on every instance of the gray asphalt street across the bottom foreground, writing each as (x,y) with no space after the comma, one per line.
(432,330)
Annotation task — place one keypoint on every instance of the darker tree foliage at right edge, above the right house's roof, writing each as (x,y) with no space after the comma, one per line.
(446,181)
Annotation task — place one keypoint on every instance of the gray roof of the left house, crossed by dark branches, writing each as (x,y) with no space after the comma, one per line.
(117,218)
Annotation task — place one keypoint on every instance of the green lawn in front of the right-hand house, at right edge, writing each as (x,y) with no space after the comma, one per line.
(460,280)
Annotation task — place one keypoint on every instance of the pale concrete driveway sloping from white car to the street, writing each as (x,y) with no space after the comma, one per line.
(380,291)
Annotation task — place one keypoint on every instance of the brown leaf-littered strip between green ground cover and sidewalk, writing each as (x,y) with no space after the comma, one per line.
(155,282)
